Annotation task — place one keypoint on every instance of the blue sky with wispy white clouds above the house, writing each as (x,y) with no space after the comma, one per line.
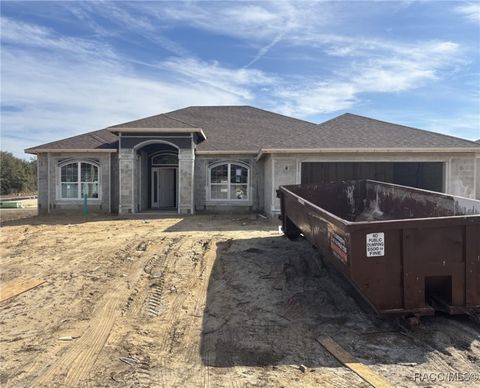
(72,67)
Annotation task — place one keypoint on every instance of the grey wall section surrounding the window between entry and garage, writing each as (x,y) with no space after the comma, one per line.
(202,203)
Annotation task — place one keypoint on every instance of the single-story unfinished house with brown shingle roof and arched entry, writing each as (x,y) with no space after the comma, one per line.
(233,158)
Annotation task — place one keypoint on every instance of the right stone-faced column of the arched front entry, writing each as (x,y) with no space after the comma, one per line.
(186,166)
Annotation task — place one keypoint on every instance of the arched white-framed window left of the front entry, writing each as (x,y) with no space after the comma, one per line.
(77,179)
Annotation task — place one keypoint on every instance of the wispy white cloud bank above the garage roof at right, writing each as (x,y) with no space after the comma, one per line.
(392,72)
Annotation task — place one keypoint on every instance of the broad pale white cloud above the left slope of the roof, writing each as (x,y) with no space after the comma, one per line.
(58,98)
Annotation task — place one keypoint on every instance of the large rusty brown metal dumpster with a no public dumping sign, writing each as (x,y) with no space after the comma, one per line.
(407,251)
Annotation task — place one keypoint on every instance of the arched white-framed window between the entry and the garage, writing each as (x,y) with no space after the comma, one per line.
(229,181)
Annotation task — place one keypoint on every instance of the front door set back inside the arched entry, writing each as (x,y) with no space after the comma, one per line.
(163,187)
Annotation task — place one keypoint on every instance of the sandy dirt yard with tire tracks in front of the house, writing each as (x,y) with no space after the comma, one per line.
(199,301)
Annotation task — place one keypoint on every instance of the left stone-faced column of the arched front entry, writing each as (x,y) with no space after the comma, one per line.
(125,180)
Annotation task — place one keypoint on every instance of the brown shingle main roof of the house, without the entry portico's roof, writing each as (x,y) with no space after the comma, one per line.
(245,128)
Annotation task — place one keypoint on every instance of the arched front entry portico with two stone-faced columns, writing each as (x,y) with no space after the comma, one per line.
(147,167)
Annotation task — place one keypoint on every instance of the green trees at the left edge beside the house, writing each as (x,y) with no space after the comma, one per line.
(17,175)
